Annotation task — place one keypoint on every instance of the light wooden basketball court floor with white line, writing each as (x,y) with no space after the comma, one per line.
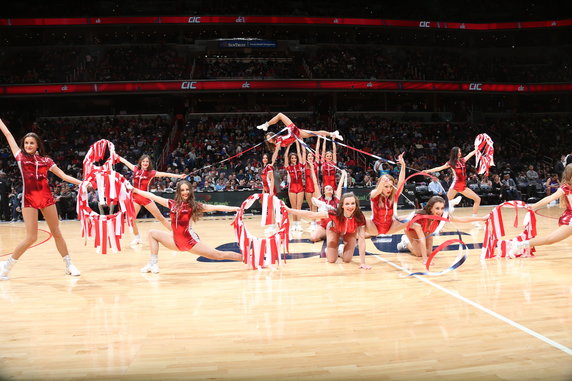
(494,320)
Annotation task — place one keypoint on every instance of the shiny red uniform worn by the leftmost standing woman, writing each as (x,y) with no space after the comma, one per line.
(36,191)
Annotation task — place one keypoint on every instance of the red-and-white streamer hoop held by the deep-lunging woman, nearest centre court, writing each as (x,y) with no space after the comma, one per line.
(261,252)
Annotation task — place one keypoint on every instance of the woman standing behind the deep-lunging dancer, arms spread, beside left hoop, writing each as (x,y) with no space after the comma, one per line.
(143,174)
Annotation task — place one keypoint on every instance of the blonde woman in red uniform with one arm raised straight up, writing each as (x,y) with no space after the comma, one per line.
(382,200)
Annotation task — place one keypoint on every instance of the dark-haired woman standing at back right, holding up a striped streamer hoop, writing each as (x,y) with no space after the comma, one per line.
(458,164)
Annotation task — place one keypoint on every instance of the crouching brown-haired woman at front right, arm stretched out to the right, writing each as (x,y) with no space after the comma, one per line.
(418,238)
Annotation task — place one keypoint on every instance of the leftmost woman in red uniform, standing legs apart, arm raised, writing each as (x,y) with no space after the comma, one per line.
(34,167)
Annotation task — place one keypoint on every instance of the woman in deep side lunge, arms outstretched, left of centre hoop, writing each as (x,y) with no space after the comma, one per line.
(184,210)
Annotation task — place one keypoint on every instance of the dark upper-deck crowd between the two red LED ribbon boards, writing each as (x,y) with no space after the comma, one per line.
(175,62)
